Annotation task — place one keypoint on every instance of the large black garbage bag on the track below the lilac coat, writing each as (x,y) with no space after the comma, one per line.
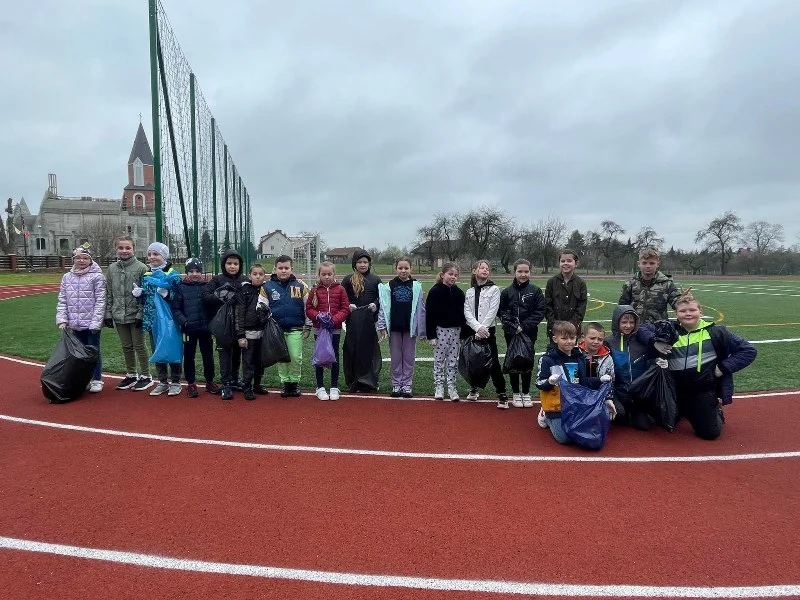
(69,370)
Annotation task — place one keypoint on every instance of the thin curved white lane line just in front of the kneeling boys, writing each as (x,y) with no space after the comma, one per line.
(400,454)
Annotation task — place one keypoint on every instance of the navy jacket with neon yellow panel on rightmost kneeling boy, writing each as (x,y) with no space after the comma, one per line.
(696,353)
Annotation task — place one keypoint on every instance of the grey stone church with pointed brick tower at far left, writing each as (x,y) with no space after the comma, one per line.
(64,222)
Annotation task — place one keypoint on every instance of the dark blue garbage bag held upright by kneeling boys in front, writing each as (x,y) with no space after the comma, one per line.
(584,416)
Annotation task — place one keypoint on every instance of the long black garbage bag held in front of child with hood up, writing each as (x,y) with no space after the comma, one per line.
(361,358)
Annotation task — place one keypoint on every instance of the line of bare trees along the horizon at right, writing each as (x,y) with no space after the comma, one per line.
(725,244)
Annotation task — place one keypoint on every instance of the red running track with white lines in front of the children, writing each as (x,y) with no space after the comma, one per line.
(708,524)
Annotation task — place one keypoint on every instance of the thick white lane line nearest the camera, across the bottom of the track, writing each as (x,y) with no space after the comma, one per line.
(484,586)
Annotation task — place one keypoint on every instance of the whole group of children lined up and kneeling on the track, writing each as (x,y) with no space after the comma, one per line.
(702,360)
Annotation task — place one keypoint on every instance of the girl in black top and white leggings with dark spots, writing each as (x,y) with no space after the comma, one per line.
(444,317)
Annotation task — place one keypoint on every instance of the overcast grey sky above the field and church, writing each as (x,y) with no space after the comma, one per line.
(361,119)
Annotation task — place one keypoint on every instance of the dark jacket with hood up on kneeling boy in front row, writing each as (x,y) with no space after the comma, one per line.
(629,352)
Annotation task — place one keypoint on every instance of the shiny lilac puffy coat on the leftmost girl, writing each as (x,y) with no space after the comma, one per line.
(82,299)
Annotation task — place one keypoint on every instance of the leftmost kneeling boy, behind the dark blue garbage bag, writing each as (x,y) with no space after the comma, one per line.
(564,361)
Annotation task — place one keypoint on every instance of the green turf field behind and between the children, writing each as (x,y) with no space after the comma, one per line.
(755,309)
